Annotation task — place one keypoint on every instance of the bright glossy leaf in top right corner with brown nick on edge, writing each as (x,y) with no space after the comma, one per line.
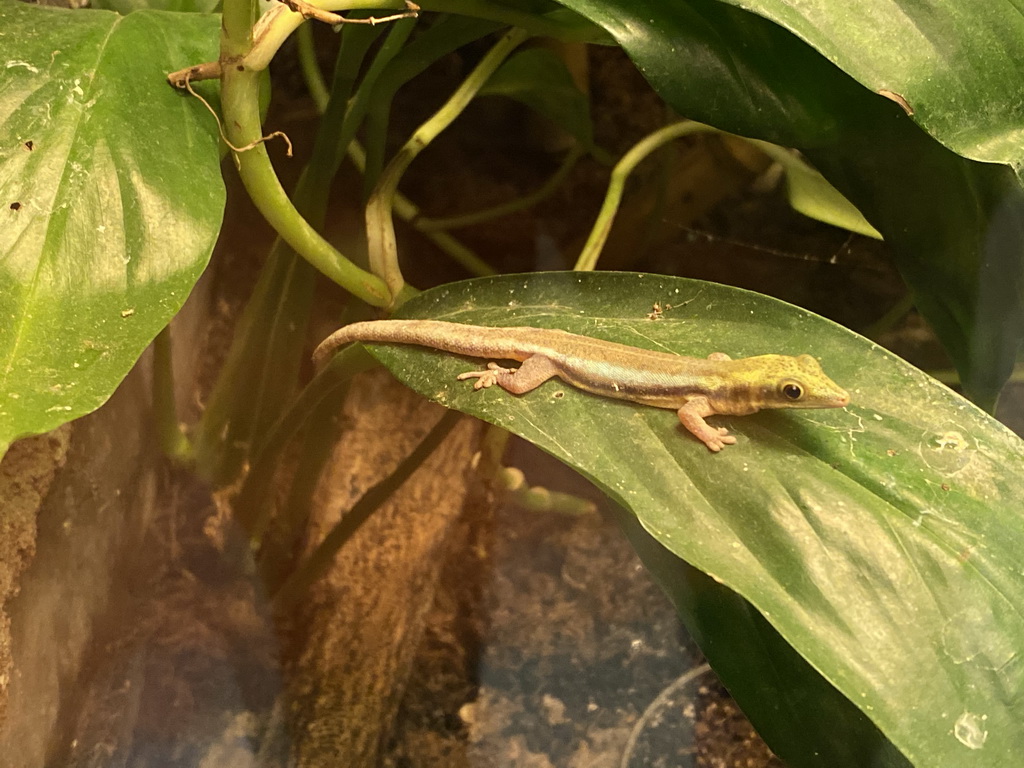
(959,67)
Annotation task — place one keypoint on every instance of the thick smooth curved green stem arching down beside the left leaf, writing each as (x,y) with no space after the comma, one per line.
(240,89)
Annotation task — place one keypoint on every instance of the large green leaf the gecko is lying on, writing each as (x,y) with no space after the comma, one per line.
(883,540)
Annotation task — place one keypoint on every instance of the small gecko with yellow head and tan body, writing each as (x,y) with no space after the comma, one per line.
(695,388)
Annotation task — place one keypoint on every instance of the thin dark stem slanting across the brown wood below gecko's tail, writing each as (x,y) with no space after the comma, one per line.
(320,562)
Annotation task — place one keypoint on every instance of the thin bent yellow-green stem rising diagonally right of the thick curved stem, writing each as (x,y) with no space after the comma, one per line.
(380,227)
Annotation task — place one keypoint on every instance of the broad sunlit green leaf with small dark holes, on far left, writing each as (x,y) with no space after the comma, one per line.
(118,194)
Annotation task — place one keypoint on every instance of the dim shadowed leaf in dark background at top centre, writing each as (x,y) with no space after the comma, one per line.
(538,78)
